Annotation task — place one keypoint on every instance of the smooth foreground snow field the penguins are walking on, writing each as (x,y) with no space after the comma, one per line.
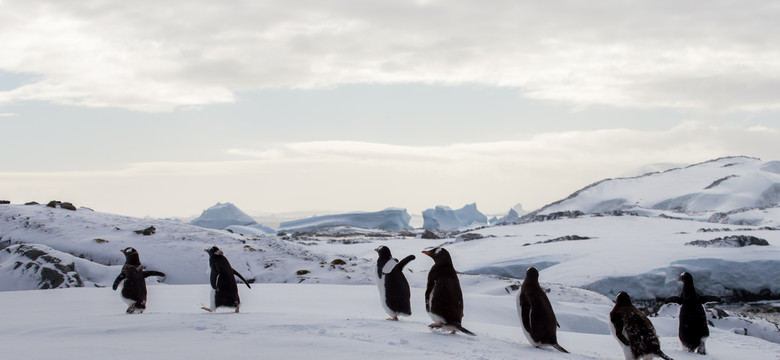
(298,321)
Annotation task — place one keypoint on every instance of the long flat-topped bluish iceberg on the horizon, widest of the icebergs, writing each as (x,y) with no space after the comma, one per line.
(388,219)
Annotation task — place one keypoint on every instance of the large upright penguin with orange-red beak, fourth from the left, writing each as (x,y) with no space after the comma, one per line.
(443,296)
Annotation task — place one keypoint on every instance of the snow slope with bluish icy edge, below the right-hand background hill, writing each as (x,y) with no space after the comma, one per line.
(639,255)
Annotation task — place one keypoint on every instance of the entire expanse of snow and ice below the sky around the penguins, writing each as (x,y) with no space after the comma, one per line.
(305,304)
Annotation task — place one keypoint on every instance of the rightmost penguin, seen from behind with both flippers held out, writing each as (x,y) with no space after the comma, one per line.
(693,330)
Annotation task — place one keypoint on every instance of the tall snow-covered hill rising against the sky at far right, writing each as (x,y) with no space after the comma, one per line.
(727,190)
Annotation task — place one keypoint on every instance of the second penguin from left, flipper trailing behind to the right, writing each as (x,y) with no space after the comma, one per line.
(224,290)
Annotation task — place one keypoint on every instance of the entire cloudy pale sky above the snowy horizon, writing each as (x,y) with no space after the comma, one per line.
(163,109)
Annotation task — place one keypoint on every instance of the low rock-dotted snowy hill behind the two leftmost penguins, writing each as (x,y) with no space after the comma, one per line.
(91,241)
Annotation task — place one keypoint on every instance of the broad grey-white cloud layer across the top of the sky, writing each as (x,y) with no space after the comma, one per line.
(160,56)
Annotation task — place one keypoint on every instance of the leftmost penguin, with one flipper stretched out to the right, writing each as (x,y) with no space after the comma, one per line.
(133,283)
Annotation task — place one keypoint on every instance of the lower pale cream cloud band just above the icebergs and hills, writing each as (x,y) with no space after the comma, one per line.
(349,175)
